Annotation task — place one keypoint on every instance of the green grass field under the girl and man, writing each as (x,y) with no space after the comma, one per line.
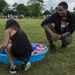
(60,63)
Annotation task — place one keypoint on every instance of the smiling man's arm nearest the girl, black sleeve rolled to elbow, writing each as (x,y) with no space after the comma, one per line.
(51,19)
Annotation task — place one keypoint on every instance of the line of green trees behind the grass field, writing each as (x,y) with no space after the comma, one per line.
(33,8)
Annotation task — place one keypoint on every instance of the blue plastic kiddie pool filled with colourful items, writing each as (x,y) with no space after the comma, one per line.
(38,54)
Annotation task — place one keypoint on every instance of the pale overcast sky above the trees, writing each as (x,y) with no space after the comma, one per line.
(47,3)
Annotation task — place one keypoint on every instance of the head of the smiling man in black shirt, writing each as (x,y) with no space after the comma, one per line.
(62,8)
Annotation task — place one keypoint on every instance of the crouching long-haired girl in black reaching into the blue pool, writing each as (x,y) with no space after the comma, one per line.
(20,47)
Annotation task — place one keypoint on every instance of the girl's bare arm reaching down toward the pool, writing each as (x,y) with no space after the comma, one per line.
(6,40)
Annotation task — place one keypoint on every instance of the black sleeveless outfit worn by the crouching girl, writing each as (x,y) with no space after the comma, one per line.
(21,47)
